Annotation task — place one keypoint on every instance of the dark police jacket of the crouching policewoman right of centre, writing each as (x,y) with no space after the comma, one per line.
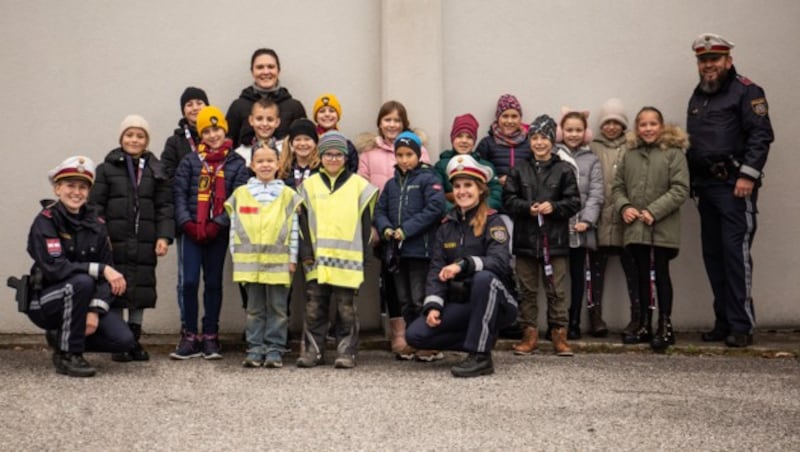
(457,242)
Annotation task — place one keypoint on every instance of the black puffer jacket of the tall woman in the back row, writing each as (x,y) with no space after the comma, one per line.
(239,129)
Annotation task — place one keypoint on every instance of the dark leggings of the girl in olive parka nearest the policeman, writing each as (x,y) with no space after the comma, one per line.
(662,256)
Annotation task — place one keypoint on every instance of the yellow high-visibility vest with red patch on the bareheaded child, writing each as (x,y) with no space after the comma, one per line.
(260,239)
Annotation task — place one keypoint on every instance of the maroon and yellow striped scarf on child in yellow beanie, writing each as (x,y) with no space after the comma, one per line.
(211,194)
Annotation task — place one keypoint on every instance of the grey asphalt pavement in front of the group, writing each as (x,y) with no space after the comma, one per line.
(604,398)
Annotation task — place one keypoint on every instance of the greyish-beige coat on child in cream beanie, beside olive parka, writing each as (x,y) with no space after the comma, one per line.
(610,225)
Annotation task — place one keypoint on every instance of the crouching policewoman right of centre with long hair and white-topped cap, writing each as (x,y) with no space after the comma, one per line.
(470,281)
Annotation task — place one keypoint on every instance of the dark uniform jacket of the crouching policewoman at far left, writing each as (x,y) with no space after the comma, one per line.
(64,244)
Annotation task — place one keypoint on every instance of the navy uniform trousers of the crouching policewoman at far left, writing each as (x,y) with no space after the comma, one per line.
(64,307)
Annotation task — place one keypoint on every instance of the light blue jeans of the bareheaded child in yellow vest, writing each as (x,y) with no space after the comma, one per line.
(267,318)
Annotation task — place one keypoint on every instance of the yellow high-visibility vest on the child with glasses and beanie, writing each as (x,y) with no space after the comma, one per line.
(334,223)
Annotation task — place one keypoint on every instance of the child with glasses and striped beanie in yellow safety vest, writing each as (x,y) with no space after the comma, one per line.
(336,222)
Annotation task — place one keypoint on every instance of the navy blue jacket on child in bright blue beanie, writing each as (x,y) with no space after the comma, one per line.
(415,203)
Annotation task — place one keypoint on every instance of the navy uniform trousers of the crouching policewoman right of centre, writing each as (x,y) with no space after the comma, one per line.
(472,326)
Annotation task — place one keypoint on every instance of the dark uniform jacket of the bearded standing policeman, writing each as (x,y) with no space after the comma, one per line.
(729,125)
